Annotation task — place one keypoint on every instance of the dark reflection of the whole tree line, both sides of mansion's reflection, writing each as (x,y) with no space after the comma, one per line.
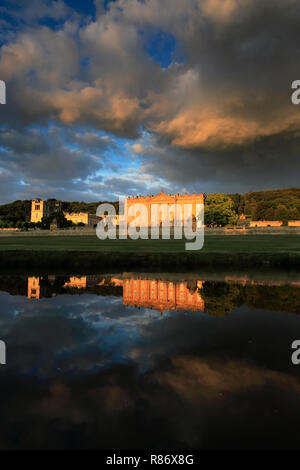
(220,298)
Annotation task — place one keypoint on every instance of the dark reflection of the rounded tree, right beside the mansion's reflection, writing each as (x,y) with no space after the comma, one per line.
(220,298)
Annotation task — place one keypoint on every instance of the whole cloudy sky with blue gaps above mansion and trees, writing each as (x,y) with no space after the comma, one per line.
(116,98)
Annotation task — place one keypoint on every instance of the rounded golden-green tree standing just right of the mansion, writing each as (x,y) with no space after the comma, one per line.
(219,210)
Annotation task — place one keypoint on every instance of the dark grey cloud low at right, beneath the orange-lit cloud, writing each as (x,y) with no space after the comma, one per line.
(270,162)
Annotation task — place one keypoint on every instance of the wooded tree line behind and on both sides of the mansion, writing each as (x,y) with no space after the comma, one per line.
(220,209)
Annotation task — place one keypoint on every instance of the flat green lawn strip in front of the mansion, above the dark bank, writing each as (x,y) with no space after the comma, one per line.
(213,244)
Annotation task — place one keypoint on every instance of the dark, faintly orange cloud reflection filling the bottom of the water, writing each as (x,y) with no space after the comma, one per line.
(189,402)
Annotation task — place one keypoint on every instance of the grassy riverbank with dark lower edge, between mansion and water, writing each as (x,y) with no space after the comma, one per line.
(88,252)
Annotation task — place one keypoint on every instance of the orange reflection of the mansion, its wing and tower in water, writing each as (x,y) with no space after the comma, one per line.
(148,293)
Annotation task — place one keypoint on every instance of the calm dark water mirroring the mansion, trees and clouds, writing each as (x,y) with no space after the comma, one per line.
(135,360)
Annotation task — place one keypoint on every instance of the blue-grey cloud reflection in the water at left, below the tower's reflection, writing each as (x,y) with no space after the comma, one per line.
(68,332)
